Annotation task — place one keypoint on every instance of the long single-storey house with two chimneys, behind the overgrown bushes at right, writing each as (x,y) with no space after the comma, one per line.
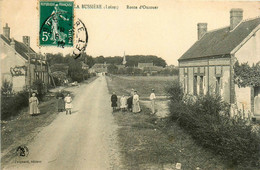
(208,65)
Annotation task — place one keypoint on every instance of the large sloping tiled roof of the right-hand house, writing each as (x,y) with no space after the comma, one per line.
(220,42)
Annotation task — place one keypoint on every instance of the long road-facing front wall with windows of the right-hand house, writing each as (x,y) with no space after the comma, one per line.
(209,70)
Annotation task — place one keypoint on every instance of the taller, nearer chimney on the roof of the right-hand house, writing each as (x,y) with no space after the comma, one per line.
(236,16)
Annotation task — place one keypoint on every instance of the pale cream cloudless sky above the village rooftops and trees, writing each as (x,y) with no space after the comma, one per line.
(166,32)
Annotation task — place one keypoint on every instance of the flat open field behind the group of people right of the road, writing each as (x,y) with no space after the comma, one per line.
(143,84)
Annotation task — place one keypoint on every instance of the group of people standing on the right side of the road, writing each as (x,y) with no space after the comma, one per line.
(131,103)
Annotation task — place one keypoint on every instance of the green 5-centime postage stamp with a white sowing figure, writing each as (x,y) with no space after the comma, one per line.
(56,23)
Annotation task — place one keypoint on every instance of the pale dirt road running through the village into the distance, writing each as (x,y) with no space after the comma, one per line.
(86,139)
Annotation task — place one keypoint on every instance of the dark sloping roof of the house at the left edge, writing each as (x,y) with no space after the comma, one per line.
(20,47)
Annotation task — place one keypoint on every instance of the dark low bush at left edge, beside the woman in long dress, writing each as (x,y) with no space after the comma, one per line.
(11,105)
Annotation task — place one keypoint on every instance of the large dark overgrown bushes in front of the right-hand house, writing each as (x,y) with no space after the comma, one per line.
(206,119)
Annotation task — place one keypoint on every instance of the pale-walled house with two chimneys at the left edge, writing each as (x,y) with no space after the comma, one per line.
(15,63)
